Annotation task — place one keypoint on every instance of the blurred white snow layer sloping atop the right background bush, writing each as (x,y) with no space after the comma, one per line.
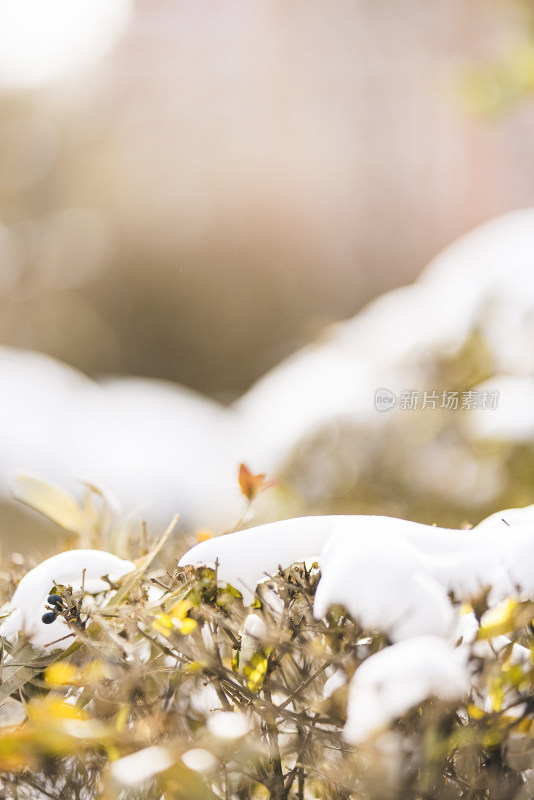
(482,282)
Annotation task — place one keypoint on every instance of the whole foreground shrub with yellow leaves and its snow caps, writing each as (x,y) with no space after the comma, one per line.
(333,657)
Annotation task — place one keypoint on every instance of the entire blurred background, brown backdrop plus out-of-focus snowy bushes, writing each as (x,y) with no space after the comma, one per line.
(193,191)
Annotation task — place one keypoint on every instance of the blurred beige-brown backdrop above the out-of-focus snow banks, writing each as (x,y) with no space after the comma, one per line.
(193,190)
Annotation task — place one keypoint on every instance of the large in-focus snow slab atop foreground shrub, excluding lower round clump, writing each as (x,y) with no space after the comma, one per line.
(393,575)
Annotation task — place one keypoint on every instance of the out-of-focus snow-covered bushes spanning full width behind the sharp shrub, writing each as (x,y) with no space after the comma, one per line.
(467,325)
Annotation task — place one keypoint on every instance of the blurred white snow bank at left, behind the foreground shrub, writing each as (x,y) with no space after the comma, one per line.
(159,448)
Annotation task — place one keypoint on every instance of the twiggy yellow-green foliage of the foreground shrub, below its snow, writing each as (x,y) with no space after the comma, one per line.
(147,673)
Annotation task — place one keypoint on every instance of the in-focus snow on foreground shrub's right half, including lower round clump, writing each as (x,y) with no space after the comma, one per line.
(394,576)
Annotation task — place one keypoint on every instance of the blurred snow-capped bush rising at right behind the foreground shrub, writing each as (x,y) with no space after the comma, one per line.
(454,354)
